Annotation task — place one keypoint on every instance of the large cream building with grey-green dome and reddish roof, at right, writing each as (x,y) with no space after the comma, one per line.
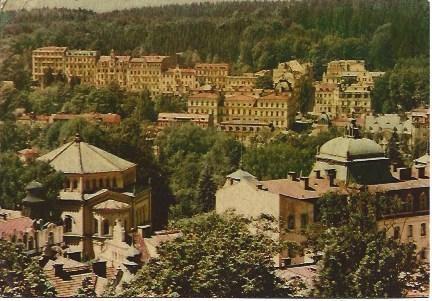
(343,165)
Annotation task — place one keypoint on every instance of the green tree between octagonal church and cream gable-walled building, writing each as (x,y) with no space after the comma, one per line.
(195,148)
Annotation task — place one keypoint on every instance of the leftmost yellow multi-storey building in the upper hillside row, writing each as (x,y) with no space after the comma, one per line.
(48,57)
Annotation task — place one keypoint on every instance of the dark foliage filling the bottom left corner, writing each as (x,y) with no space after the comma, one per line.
(20,275)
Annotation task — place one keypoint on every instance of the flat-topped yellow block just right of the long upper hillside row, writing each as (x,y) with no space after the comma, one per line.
(213,74)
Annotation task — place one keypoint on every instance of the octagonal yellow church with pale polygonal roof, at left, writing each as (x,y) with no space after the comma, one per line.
(98,191)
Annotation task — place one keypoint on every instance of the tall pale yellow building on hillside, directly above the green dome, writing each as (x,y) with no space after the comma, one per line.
(345,89)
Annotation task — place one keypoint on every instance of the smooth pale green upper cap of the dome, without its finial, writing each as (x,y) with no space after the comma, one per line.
(345,147)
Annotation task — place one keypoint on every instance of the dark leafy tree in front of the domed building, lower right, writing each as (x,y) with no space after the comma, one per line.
(359,260)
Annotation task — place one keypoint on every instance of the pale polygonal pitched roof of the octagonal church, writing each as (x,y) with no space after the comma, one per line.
(78,157)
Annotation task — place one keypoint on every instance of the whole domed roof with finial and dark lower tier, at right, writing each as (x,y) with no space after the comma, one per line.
(351,159)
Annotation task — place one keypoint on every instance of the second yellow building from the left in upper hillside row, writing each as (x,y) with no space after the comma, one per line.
(82,64)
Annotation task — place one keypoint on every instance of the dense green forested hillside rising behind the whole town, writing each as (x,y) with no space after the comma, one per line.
(251,35)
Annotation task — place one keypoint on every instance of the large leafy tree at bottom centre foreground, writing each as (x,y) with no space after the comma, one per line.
(215,256)
